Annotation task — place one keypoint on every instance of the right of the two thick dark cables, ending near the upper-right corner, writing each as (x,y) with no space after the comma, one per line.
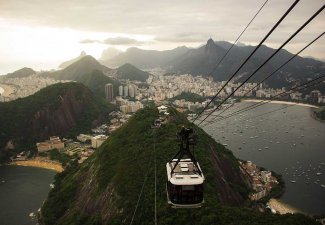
(288,40)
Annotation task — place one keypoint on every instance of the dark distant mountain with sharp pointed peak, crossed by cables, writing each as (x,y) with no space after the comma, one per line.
(202,61)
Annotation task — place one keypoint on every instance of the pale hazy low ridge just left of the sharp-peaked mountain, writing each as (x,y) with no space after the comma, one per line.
(145,59)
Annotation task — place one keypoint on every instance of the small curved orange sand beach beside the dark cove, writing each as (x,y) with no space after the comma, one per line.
(40,163)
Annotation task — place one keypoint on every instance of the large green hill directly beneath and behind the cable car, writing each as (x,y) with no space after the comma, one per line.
(107,187)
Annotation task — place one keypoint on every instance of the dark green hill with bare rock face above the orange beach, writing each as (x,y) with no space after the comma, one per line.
(61,109)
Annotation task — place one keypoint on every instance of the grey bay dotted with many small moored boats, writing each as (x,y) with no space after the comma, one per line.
(285,140)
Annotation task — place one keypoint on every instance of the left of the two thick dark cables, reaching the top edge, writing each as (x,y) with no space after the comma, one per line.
(256,48)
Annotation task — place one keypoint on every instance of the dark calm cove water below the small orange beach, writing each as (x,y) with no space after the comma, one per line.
(22,192)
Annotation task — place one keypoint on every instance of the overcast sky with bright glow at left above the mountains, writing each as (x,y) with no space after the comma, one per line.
(43,33)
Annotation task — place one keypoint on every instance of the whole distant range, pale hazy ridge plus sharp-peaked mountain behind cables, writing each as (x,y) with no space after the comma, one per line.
(202,61)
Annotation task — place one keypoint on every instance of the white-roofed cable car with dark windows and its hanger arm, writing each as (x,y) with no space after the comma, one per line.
(184,174)
